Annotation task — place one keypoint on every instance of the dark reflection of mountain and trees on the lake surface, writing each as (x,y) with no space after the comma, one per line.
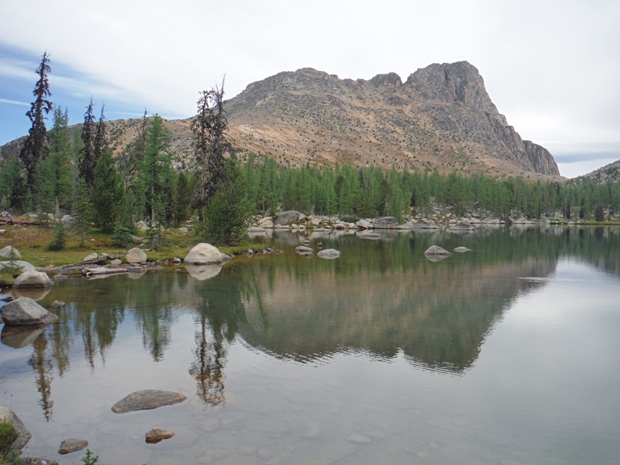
(380,297)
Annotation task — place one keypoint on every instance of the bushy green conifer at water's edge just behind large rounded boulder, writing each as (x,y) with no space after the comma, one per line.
(228,211)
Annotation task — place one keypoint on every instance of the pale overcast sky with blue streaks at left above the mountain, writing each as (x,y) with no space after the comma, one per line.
(552,67)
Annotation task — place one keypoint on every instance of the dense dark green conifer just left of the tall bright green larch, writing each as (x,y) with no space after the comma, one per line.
(108,192)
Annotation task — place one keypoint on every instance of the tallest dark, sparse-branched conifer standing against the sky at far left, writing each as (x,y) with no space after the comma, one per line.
(36,147)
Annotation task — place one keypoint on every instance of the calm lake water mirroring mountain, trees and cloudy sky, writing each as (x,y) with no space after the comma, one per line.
(509,354)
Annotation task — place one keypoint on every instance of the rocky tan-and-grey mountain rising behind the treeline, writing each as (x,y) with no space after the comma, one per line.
(441,117)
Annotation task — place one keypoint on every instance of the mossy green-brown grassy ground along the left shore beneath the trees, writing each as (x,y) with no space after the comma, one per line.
(32,240)
